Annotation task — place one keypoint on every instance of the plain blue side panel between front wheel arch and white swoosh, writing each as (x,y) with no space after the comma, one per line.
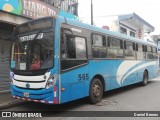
(107,69)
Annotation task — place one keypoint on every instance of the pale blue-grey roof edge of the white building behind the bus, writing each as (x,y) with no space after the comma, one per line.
(138,19)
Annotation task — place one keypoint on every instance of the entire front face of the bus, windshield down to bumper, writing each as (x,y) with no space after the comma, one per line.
(33,75)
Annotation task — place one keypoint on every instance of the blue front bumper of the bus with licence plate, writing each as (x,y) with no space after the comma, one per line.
(48,96)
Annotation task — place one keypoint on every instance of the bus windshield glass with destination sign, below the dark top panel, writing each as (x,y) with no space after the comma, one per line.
(33,51)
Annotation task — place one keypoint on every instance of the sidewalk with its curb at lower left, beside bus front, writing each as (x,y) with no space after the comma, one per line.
(6,101)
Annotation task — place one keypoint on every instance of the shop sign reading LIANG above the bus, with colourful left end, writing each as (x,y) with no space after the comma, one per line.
(28,8)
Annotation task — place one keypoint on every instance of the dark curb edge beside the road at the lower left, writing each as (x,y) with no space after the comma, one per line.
(10,104)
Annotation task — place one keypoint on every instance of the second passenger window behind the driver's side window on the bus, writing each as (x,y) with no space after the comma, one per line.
(115,48)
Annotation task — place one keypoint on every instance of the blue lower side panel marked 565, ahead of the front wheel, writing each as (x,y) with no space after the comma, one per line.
(74,83)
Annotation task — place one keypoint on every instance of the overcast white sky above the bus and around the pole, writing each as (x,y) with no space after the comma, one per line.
(149,10)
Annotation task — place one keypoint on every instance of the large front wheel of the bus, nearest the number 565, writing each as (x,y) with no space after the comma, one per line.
(95,91)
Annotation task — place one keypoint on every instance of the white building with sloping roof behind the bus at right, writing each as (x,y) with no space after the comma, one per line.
(130,24)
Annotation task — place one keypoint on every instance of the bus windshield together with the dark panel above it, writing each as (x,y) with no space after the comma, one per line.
(33,49)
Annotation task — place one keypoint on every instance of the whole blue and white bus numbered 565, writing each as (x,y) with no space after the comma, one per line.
(56,60)
